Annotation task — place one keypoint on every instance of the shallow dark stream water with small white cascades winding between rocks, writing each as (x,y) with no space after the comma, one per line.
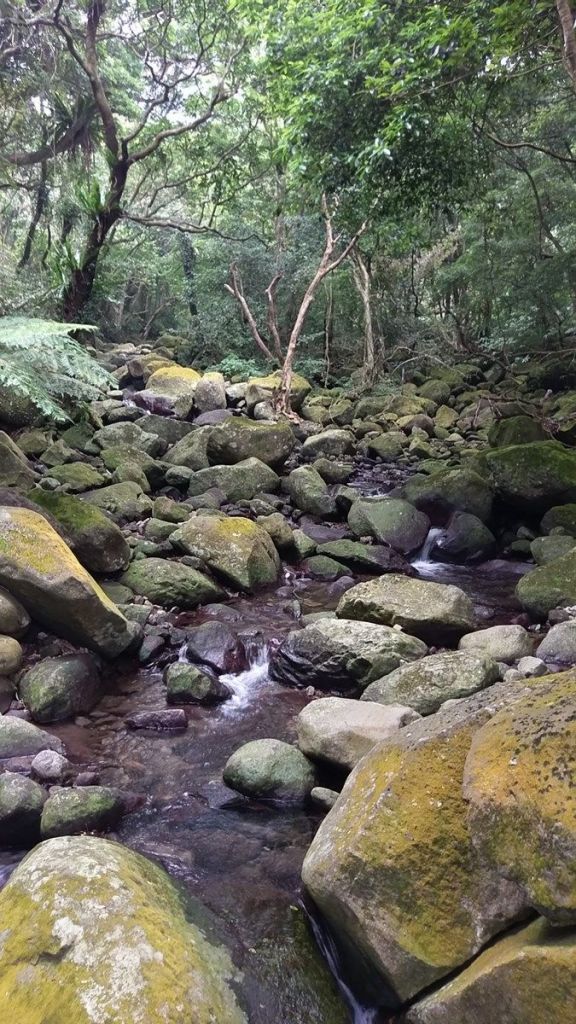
(242,860)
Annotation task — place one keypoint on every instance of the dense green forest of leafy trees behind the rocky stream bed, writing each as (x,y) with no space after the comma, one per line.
(162,162)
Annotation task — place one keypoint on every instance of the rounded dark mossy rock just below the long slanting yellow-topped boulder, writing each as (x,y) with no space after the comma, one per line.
(58,689)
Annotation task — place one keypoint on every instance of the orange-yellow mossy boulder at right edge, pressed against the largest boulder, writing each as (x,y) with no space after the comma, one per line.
(520,785)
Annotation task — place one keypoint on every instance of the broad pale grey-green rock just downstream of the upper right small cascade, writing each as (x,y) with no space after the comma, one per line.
(436,613)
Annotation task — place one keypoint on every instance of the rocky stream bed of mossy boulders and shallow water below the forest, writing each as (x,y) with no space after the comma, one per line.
(261,578)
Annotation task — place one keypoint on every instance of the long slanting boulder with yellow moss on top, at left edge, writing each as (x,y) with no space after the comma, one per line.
(38,568)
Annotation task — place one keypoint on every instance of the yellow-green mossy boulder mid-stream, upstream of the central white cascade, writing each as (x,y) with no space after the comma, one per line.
(236,549)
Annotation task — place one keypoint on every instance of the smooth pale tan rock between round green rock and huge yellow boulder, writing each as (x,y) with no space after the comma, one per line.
(342,732)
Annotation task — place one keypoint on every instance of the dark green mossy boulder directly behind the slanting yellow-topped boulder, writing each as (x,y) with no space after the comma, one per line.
(96,540)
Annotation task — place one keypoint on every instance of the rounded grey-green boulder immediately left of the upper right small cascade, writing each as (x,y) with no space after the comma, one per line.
(390,521)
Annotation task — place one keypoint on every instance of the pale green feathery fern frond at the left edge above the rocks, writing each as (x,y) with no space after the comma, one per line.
(42,364)
